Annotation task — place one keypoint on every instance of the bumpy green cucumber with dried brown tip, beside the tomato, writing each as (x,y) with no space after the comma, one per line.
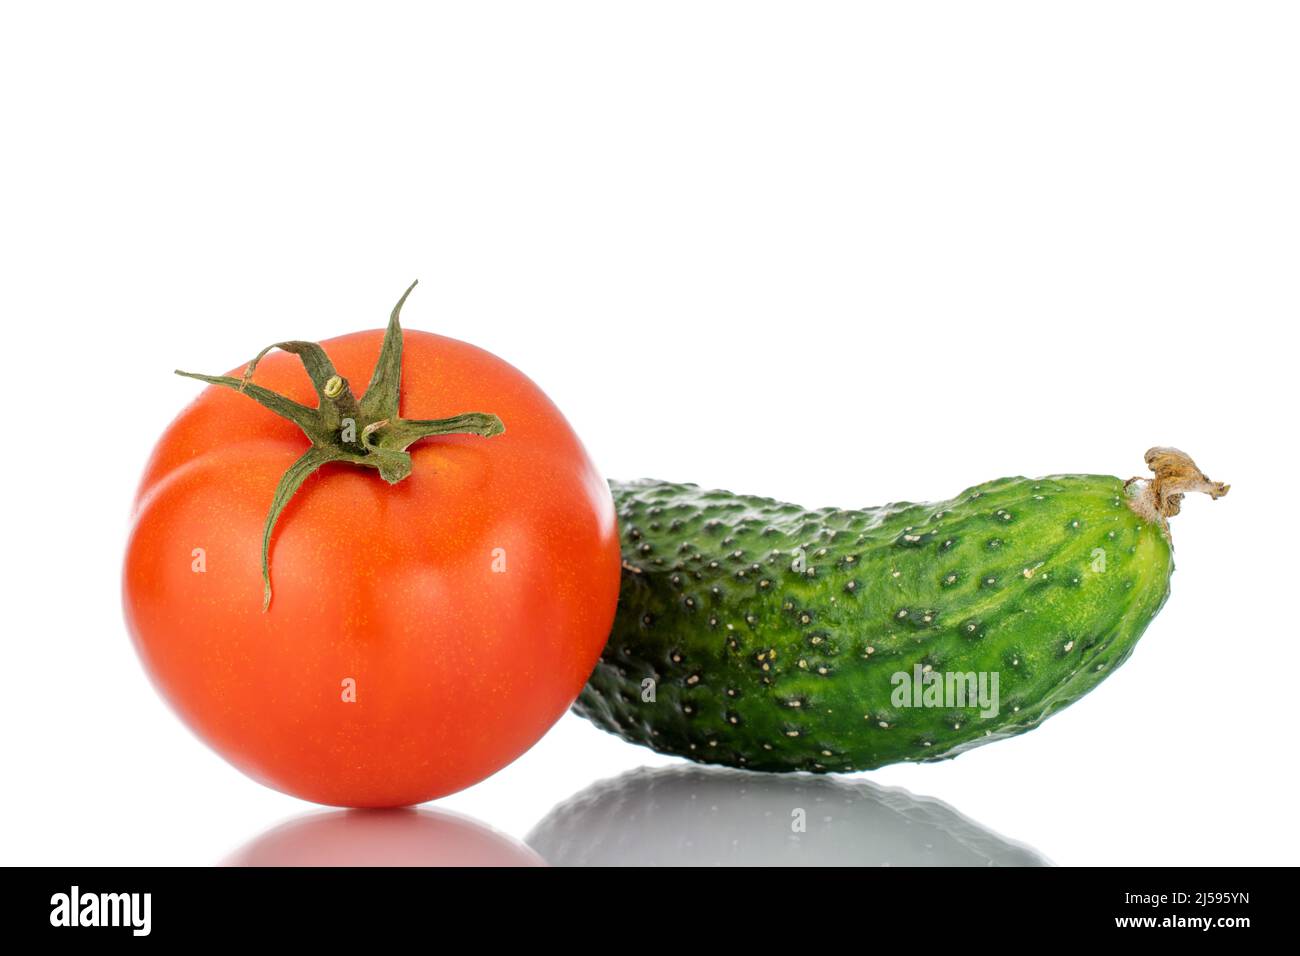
(768,637)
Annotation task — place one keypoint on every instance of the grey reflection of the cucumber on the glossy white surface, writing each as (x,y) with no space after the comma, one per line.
(714,817)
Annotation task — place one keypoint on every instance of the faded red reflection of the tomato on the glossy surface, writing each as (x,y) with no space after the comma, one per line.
(383,838)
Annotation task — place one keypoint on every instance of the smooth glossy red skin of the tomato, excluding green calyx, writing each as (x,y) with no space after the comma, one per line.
(467,604)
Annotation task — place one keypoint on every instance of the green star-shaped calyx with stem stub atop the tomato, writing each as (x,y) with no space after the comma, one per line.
(366,431)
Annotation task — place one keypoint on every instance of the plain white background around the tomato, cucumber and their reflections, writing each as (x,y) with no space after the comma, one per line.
(833,253)
